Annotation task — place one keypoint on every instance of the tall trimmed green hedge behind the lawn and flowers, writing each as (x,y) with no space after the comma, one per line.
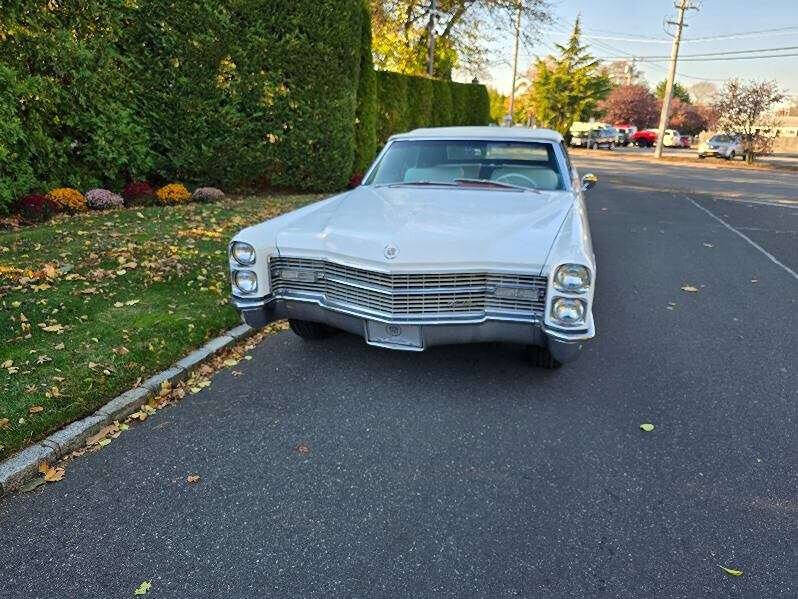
(226,92)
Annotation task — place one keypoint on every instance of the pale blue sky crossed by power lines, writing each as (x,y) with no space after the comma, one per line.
(636,28)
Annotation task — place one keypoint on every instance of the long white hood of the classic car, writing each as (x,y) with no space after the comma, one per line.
(429,227)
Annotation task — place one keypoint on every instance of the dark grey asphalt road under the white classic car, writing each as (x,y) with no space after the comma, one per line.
(462,471)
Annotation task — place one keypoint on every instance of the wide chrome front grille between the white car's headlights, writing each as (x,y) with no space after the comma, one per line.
(414,295)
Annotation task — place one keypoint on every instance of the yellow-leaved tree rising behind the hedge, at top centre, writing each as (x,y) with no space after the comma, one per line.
(465,30)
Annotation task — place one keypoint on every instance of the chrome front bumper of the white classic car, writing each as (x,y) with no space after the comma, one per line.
(564,346)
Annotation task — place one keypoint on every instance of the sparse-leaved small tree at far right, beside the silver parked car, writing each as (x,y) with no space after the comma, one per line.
(746,108)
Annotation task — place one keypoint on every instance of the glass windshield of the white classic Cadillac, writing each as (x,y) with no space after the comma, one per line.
(530,165)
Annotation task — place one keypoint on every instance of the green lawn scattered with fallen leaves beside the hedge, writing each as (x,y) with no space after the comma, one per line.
(93,303)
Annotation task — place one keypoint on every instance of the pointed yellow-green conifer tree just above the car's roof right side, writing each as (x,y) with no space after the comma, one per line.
(567,87)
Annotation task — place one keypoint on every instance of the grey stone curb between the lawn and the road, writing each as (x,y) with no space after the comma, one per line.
(23,466)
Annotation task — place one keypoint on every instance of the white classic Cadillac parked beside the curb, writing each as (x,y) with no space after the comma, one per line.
(456,235)
